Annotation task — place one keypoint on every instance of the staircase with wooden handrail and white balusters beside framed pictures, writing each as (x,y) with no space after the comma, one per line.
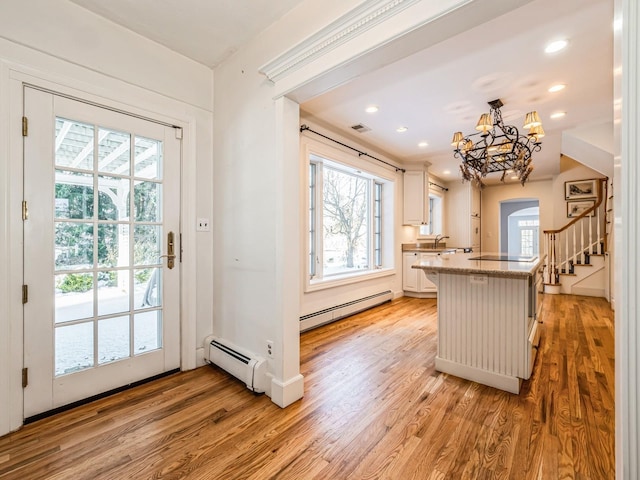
(577,259)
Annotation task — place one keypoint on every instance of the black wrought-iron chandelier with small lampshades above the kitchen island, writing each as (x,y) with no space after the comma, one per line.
(500,147)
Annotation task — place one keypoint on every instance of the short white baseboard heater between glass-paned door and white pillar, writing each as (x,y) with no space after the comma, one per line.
(240,363)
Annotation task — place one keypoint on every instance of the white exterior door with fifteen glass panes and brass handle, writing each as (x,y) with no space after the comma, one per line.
(102,190)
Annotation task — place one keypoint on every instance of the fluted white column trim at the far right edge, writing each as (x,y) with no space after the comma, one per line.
(627,236)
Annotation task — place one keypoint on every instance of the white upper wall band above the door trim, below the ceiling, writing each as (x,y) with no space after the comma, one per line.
(66,31)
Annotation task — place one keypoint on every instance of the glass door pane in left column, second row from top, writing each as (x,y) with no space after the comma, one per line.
(74,195)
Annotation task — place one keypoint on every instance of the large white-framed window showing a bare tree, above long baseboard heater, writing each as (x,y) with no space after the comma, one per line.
(346,220)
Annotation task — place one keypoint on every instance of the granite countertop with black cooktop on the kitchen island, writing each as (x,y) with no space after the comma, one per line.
(466,263)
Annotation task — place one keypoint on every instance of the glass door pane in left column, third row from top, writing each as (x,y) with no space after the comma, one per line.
(74,245)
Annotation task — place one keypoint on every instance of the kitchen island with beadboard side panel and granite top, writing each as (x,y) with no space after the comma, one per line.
(488,312)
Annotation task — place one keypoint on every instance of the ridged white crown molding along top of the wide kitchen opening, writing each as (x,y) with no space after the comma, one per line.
(345,28)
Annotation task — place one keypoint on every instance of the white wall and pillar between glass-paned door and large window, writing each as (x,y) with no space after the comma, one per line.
(256,191)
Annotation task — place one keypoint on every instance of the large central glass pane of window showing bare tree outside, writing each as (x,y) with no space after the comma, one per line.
(345,206)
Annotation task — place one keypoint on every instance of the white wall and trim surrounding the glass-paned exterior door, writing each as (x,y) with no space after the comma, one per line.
(65,48)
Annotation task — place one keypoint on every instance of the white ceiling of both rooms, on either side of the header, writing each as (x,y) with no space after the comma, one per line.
(435,92)
